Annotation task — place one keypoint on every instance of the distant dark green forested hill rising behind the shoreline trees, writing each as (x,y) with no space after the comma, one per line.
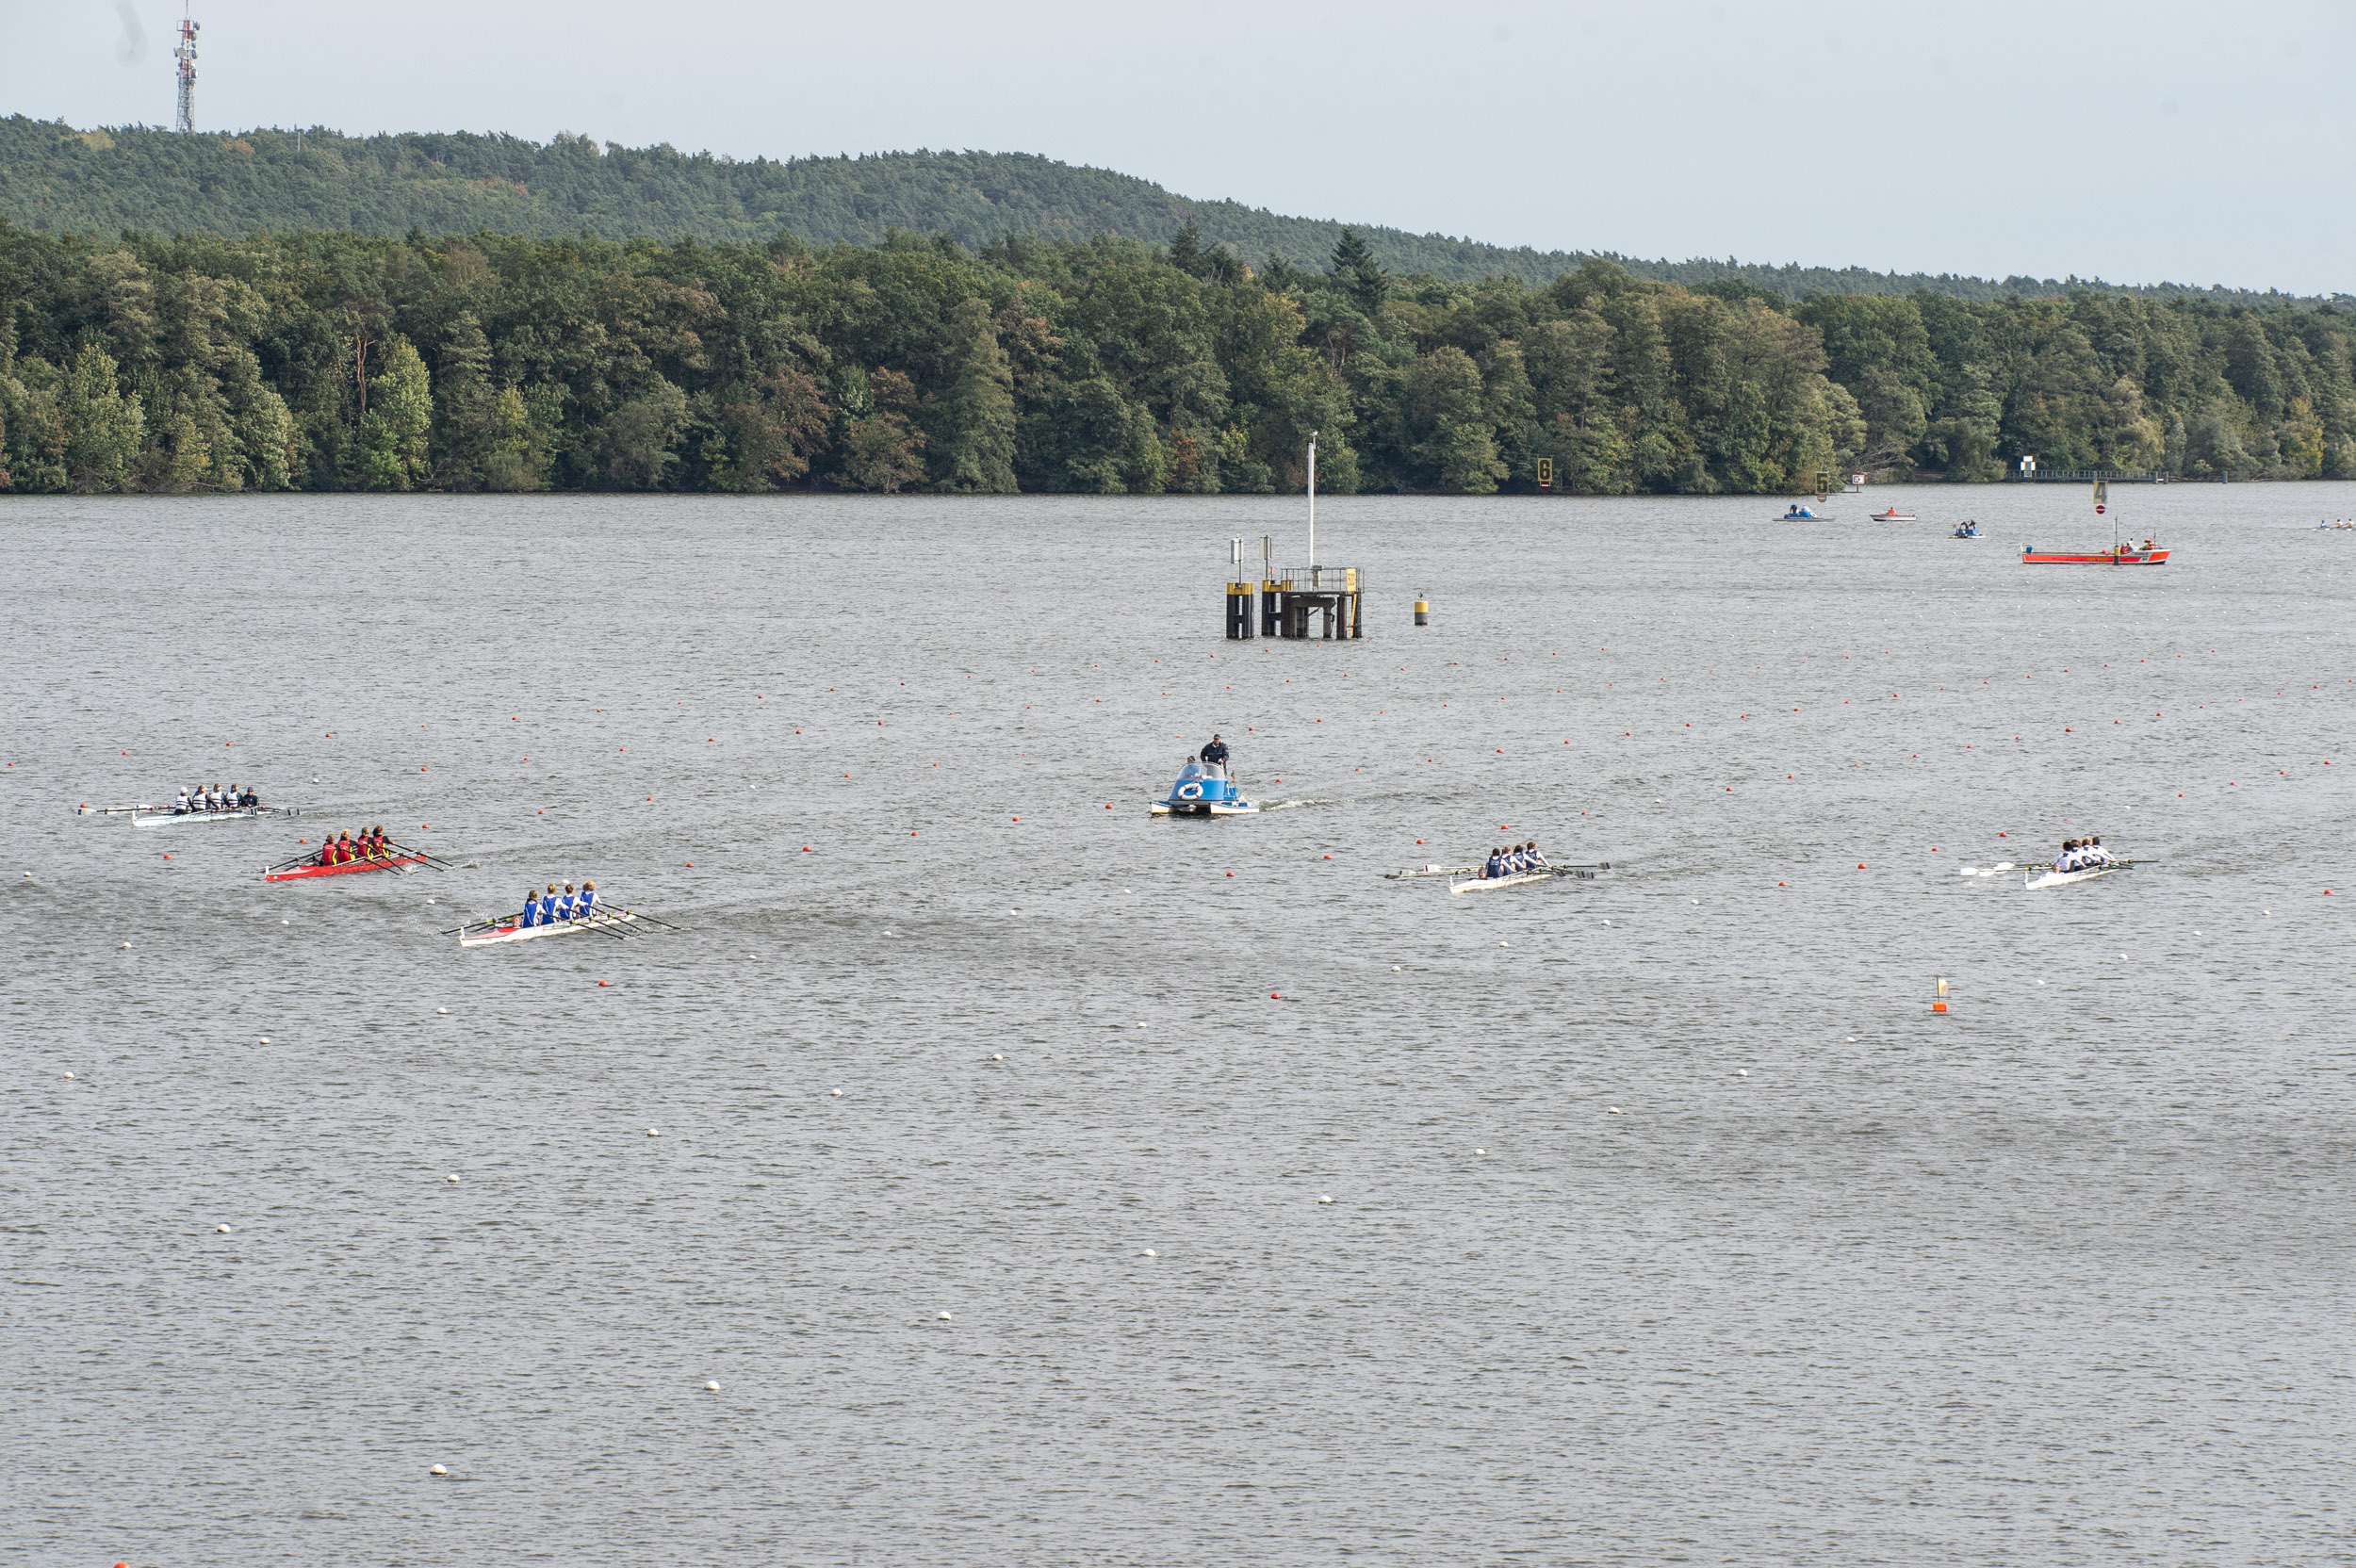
(110,182)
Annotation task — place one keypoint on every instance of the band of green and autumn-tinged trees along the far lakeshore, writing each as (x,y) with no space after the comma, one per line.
(333,361)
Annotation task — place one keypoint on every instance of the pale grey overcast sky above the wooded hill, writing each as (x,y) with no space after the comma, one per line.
(2138,142)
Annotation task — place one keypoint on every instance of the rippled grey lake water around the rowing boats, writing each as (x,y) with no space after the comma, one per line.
(1667,1221)
